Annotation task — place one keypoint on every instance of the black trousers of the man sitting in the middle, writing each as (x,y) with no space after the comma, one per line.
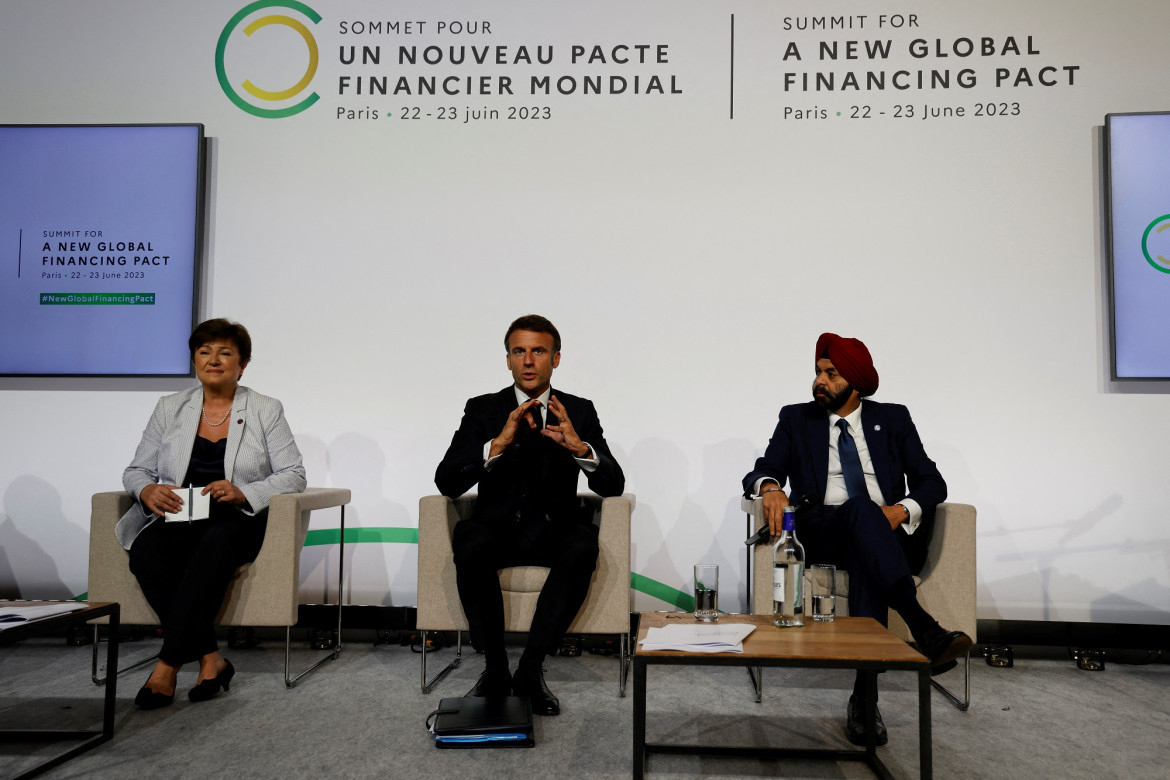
(481,550)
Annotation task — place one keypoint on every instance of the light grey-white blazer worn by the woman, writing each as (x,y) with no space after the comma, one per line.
(263,459)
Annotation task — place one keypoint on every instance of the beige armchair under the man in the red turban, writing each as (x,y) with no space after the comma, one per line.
(947,585)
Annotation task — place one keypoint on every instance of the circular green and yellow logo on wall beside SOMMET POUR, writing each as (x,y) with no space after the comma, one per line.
(274,58)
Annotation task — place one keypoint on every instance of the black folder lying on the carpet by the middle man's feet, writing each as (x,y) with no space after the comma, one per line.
(479,722)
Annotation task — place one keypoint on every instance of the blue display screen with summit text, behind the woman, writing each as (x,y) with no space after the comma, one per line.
(99,249)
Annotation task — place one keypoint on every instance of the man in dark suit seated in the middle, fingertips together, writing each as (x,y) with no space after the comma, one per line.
(526,447)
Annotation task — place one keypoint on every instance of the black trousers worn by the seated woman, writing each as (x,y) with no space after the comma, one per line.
(184,570)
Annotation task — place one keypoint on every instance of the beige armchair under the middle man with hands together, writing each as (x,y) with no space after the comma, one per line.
(607,609)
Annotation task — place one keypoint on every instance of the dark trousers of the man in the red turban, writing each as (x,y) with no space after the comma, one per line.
(856,537)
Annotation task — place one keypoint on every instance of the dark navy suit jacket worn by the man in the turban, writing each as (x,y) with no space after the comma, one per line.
(799,455)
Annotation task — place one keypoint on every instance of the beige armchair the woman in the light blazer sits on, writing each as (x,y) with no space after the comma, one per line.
(264,592)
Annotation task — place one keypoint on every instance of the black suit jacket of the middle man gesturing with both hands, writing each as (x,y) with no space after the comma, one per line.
(511,485)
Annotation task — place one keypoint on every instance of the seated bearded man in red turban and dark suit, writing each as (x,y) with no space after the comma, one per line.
(873,493)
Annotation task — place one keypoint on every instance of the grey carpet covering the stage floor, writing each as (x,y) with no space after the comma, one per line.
(363,716)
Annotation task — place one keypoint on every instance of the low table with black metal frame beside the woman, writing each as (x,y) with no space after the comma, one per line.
(36,627)
